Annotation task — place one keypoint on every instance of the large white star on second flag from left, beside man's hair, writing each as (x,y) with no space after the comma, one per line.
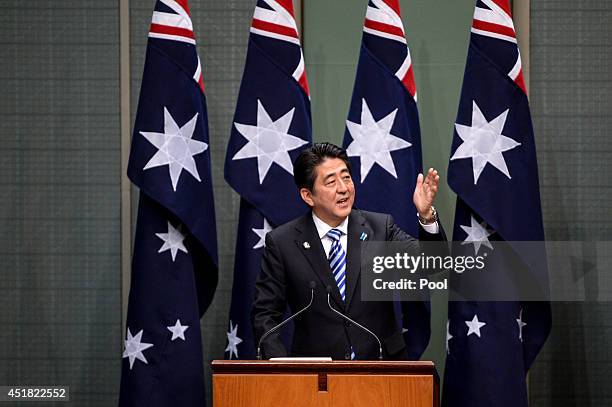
(268,141)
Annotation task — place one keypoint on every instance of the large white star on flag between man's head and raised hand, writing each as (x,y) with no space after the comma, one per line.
(373,141)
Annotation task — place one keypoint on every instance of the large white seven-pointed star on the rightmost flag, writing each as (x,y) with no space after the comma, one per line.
(484,142)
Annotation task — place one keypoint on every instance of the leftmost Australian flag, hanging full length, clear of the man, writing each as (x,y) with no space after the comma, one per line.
(174,265)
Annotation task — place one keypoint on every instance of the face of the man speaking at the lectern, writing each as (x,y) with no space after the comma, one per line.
(333,193)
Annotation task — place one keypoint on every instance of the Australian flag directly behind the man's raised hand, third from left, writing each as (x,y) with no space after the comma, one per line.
(383,138)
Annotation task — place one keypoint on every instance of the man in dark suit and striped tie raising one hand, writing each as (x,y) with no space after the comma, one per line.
(323,247)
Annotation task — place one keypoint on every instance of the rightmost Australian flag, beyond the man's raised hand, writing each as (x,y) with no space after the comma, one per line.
(493,169)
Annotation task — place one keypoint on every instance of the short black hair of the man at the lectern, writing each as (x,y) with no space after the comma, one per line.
(304,167)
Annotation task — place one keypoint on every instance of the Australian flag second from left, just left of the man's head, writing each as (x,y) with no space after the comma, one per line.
(271,126)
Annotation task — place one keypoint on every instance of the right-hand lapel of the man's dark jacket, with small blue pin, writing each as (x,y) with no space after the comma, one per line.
(356,226)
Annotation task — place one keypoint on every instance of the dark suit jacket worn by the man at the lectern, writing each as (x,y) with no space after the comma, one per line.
(288,267)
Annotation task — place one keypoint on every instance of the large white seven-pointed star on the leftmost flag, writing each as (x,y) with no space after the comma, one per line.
(176,148)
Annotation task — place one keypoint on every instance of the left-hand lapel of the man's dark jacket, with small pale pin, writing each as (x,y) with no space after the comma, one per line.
(311,247)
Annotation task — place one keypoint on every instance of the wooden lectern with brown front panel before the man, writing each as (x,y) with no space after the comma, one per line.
(262,383)
